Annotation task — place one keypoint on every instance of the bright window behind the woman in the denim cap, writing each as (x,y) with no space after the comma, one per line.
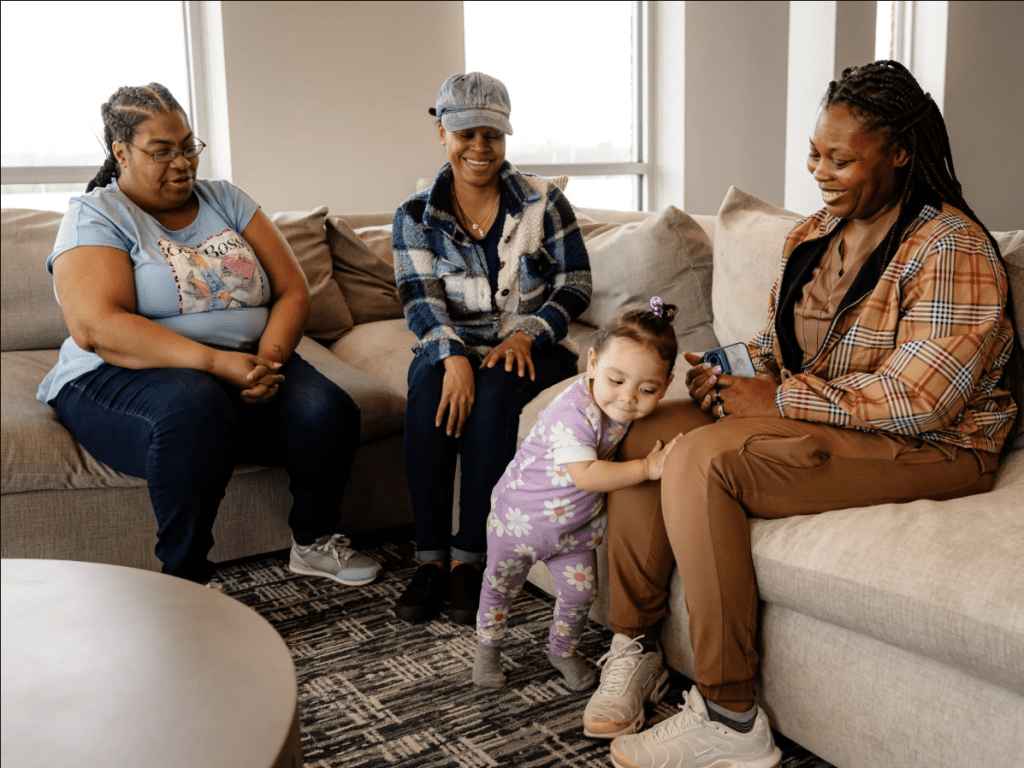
(575,74)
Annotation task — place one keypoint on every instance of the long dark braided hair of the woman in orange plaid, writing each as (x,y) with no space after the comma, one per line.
(886,98)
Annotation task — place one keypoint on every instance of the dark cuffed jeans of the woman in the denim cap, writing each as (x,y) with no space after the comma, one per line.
(488,445)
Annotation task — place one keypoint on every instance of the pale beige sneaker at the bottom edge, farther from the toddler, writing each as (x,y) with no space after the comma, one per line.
(692,740)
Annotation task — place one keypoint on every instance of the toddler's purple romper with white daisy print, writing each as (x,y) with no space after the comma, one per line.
(538,515)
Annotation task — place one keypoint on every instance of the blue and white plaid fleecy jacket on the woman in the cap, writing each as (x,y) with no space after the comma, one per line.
(544,281)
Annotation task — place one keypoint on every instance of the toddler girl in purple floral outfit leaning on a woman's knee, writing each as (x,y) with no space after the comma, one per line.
(548,505)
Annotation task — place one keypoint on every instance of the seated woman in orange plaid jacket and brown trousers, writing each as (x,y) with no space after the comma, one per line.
(887,372)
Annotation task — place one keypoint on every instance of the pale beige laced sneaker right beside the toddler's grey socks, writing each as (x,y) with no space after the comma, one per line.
(630,678)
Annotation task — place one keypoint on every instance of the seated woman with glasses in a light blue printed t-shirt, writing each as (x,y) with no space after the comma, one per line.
(186,306)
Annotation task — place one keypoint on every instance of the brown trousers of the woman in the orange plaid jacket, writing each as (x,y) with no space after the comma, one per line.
(697,518)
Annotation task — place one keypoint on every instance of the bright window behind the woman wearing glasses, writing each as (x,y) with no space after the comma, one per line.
(61,62)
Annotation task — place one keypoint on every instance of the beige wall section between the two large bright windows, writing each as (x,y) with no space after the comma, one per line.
(328,103)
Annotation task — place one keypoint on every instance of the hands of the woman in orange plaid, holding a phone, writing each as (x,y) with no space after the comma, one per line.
(724,396)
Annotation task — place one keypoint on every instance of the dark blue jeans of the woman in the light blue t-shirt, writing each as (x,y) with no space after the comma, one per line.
(184,432)
